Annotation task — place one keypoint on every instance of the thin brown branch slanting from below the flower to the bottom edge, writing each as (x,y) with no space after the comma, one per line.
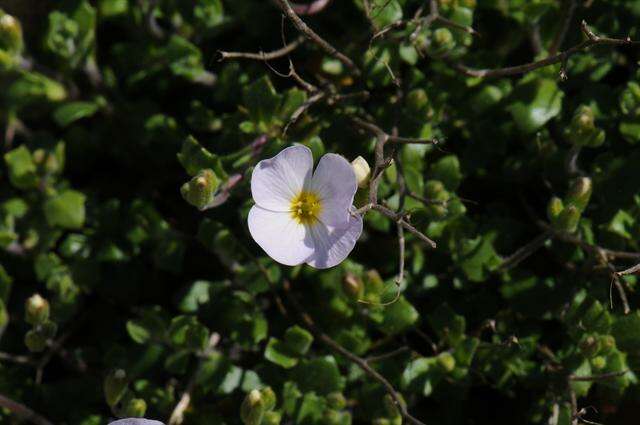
(359,361)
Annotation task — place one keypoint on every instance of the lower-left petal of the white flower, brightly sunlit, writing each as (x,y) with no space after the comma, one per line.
(281,237)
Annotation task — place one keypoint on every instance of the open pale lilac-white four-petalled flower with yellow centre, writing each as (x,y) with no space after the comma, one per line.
(303,216)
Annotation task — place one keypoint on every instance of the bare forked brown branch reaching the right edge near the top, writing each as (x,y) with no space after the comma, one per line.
(592,40)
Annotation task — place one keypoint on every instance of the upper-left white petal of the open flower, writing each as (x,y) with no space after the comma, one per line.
(275,181)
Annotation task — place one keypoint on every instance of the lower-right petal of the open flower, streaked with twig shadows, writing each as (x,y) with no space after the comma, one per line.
(334,244)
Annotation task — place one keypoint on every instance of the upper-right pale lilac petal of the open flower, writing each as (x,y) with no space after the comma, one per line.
(335,182)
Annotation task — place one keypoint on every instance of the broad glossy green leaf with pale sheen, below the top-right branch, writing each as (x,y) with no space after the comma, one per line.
(535,103)
